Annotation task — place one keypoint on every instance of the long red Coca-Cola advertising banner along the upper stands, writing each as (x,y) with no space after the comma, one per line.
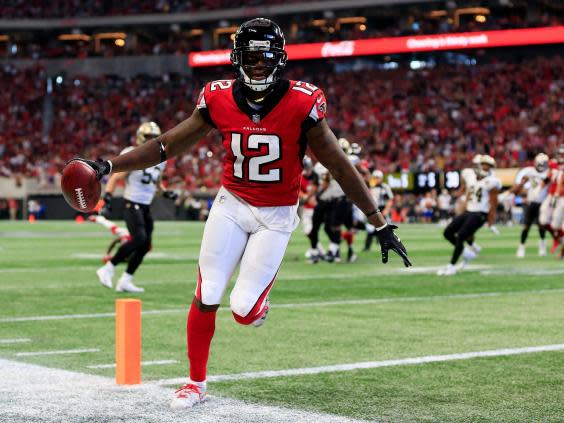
(452,41)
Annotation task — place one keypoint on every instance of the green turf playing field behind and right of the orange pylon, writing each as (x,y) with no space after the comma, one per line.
(362,312)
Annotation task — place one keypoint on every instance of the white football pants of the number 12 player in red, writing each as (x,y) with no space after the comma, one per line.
(236,233)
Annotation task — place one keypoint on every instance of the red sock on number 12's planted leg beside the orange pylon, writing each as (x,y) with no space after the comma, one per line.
(199,330)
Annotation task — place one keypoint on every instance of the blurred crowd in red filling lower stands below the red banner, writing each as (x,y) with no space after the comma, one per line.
(424,120)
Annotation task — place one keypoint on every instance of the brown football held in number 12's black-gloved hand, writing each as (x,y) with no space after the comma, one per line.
(80,186)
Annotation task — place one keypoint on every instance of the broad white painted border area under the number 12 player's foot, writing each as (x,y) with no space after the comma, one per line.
(78,397)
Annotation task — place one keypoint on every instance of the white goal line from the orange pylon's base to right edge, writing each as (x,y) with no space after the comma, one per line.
(372,364)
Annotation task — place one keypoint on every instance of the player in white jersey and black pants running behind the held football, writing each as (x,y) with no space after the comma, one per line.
(140,189)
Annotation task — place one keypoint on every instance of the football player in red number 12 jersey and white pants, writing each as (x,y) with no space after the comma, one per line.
(267,123)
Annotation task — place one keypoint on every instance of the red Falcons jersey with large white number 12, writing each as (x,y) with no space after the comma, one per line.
(265,146)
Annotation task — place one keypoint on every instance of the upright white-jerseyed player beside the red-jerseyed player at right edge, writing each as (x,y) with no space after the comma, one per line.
(535,181)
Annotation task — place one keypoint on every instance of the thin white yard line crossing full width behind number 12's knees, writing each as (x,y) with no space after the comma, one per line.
(384,300)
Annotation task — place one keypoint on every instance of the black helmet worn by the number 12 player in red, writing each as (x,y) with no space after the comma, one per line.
(259,47)
